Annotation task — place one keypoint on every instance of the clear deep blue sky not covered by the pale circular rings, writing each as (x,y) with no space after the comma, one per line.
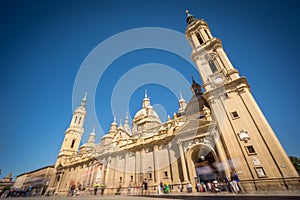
(43,44)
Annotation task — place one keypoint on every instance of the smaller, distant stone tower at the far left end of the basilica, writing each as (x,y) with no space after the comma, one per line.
(73,133)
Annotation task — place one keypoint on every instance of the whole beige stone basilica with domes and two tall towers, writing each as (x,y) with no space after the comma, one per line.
(219,131)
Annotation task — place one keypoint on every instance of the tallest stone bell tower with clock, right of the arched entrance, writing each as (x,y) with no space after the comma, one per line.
(252,149)
